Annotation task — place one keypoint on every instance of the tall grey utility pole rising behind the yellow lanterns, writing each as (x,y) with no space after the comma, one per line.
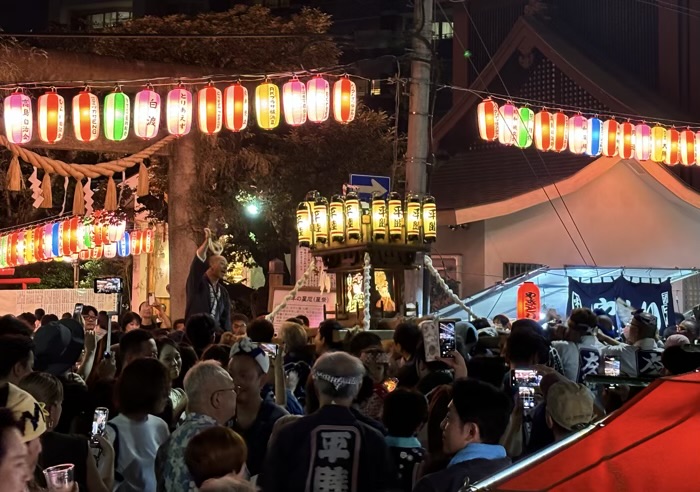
(418,145)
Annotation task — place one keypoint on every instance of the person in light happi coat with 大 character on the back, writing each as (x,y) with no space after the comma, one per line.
(580,350)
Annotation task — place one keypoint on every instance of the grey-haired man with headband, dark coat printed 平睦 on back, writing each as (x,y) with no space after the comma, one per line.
(330,450)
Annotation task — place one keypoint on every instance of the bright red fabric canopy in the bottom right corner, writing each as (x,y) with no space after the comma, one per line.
(650,444)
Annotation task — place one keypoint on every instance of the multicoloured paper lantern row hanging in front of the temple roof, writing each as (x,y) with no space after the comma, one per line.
(521,127)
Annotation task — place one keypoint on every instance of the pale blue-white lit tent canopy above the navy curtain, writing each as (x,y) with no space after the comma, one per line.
(554,288)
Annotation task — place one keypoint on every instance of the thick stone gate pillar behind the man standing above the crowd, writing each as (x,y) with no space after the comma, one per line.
(181,179)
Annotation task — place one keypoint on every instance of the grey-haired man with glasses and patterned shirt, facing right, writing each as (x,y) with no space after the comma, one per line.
(211,401)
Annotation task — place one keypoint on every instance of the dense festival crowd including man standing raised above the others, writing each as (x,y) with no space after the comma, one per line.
(220,402)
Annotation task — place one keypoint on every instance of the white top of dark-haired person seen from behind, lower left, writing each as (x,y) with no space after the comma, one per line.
(138,444)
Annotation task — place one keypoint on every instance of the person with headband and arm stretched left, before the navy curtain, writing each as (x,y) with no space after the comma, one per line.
(641,356)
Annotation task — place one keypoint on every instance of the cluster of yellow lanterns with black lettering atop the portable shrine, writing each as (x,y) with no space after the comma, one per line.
(347,220)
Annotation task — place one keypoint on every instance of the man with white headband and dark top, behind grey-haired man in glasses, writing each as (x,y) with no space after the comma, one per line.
(255,415)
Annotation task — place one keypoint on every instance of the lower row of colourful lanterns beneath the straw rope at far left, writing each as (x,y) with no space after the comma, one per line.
(75,238)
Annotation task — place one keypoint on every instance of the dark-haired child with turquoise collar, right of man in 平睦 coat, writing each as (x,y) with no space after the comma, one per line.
(405,412)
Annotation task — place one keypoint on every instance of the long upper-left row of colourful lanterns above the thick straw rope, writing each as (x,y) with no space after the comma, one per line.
(215,109)
